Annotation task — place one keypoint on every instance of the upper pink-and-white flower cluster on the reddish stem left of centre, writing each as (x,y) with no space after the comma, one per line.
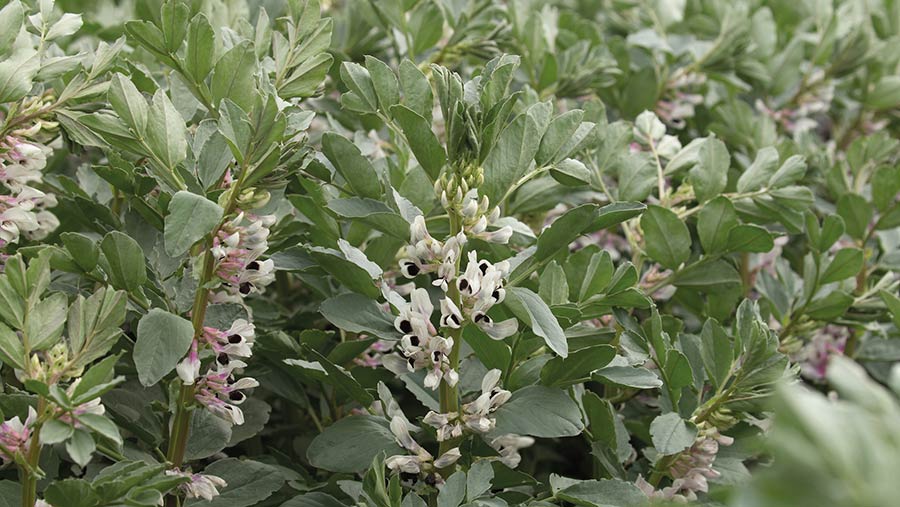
(237,249)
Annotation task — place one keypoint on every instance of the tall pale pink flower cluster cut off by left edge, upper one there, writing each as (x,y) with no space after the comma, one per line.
(23,212)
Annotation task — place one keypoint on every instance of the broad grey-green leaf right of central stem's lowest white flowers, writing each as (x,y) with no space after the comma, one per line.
(559,416)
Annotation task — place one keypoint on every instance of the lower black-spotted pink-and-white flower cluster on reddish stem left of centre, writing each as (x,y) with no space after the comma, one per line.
(218,390)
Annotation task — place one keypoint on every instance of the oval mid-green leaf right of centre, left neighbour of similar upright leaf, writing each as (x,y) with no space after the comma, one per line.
(667,238)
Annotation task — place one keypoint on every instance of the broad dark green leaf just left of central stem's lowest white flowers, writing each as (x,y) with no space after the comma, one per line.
(350,444)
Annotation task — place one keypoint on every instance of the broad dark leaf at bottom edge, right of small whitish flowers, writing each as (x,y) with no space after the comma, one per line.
(249,483)
